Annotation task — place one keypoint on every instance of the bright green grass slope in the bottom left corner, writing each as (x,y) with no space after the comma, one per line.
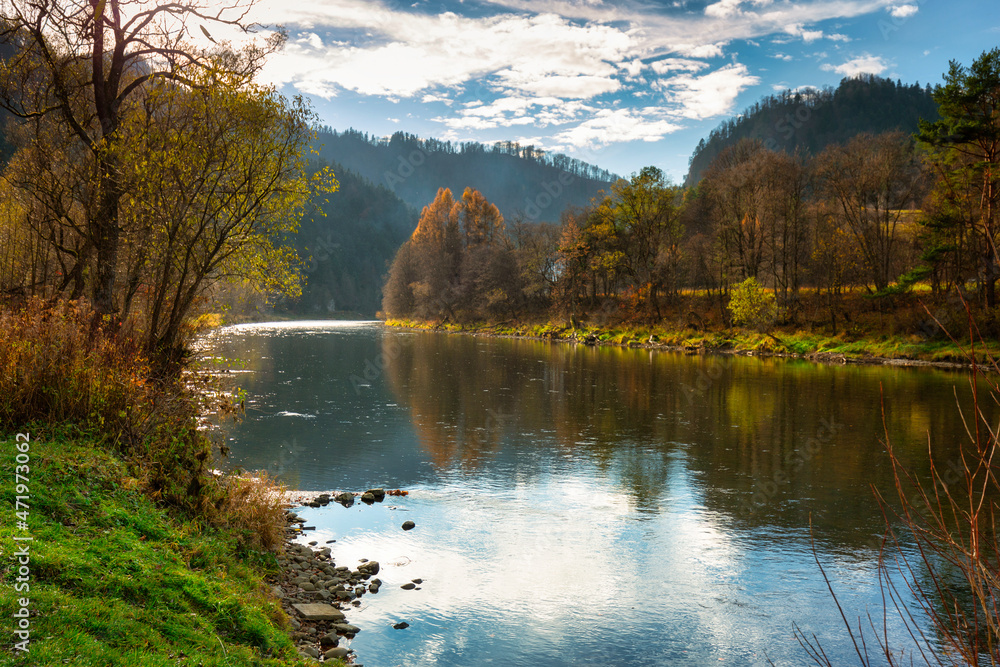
(117,580)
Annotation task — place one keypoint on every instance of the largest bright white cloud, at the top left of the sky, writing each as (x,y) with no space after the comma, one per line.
(410,53)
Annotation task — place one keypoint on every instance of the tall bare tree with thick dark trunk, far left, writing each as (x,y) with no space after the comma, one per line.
(84,64)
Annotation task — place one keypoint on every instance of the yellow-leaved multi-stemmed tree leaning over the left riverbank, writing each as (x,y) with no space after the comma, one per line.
(220,183)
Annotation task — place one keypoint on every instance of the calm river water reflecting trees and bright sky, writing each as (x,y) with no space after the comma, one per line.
(588,506)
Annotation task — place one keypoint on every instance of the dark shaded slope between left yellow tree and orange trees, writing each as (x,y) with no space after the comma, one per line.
(348,248)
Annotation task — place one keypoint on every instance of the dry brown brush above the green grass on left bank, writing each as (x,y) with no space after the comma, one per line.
(61,364)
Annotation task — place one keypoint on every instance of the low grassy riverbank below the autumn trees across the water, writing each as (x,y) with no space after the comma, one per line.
(886,349)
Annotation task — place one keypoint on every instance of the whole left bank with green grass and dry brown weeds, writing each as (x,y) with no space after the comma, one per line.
(138,555)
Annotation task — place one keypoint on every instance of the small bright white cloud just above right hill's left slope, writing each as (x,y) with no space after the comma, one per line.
(712,94)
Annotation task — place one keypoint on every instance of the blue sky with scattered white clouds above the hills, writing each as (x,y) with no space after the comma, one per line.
(618,84)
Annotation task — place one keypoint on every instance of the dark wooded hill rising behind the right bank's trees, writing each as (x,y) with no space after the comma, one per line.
(812,119)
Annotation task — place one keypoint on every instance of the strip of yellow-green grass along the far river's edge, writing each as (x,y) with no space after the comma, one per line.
(797,343)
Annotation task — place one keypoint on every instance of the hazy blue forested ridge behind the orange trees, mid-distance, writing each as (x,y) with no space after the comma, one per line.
(518,179)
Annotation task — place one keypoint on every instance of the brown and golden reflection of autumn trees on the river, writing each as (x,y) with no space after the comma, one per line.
(769,441)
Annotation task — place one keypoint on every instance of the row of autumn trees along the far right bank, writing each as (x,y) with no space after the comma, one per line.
(877,212)
